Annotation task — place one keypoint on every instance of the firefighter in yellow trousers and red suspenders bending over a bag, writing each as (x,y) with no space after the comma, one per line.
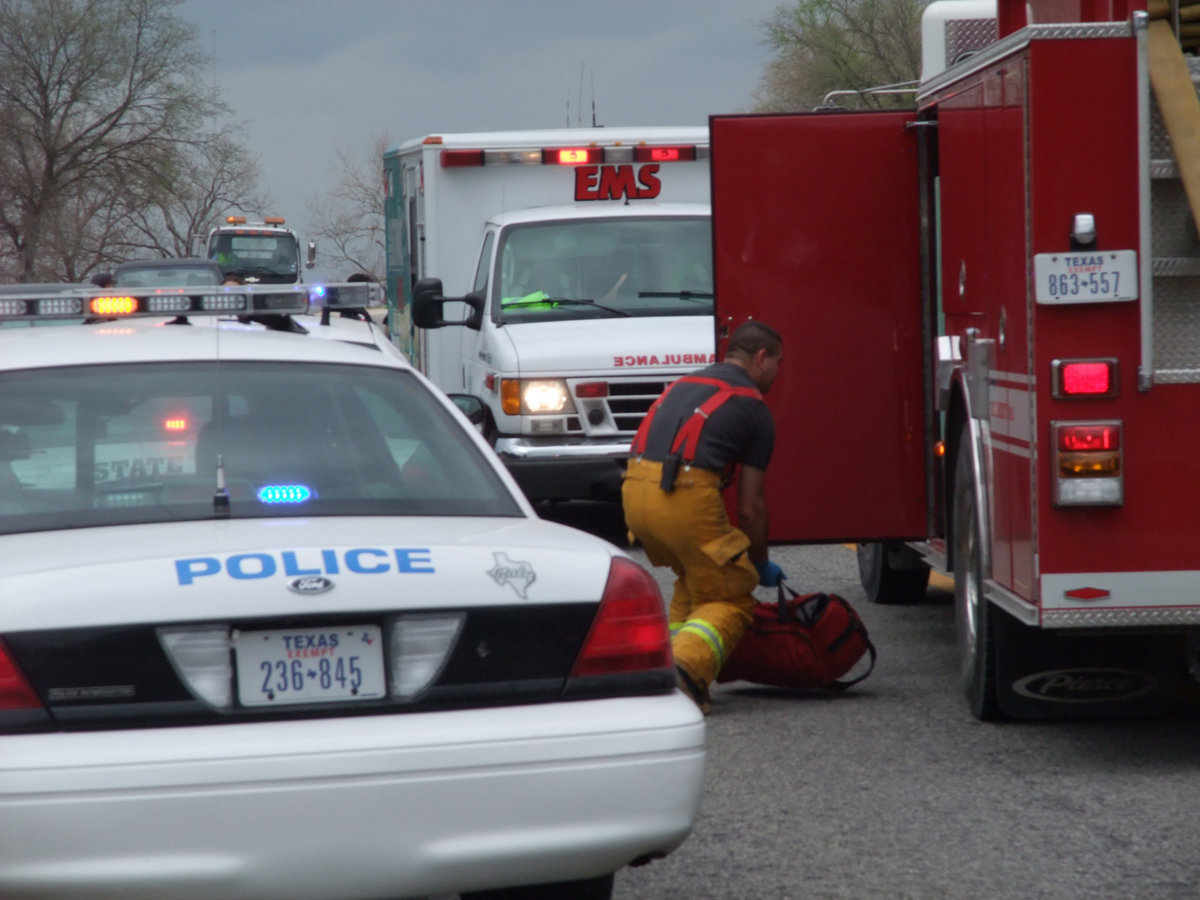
(698,433)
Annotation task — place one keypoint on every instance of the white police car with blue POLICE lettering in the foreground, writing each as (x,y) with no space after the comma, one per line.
(274,622)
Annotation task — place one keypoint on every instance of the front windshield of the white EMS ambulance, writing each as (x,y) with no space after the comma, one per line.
(605,268)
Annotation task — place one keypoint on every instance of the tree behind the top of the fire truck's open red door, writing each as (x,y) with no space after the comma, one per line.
(824,46)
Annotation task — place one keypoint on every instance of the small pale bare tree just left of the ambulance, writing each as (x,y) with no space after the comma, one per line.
(350,219)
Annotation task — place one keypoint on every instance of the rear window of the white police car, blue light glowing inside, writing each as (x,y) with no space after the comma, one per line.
(121,445)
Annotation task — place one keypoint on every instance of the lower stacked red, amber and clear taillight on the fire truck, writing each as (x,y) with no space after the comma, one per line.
(1088,469)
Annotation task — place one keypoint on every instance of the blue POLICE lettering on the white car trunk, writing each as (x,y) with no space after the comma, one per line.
(361,561)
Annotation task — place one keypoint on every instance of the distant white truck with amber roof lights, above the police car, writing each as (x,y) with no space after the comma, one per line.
(266,253)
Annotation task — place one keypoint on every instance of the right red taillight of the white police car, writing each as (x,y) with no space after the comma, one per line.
(629,633)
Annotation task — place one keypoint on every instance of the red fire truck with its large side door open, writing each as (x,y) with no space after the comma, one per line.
(991,304)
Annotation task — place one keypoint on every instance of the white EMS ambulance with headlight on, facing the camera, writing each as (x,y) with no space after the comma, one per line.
(562,277)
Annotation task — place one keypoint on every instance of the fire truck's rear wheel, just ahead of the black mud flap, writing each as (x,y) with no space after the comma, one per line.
(975,619)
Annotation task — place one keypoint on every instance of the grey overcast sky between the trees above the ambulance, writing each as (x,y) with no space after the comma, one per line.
(308,76)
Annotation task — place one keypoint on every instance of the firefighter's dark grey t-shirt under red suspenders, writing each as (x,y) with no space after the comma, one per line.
(742,430)
